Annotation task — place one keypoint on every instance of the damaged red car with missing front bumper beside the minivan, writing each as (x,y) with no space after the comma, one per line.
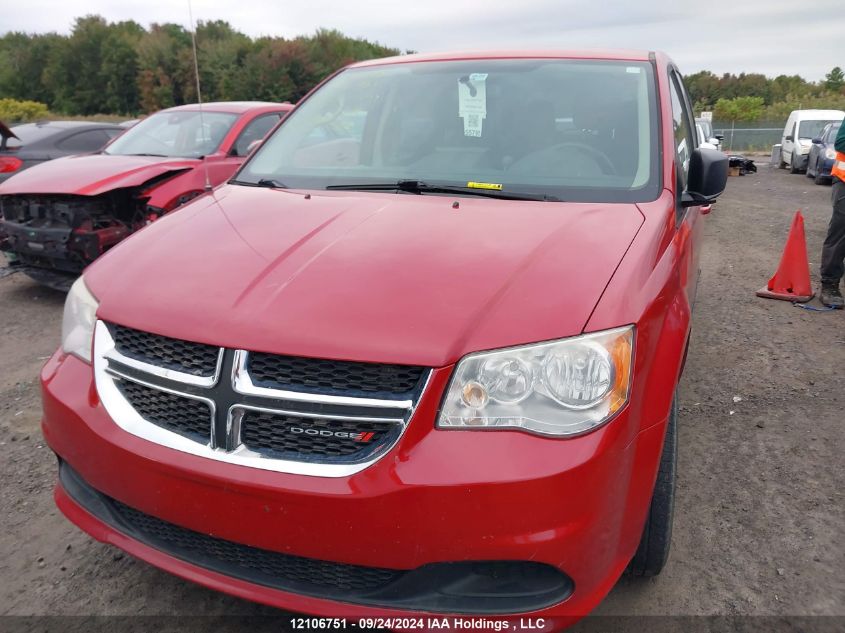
(58,217)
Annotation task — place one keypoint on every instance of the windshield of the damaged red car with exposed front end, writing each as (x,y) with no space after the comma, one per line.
(183,134)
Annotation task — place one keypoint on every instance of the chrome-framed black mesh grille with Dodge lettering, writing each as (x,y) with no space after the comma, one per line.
(215,403)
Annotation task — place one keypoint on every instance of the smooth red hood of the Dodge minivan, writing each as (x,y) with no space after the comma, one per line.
(365,276)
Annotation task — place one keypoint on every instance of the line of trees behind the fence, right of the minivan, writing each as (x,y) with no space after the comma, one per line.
(752,96)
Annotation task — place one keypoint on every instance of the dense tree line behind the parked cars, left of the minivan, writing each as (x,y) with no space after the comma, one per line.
(124,68)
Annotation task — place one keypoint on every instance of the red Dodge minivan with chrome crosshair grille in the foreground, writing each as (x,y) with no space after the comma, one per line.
(419,356)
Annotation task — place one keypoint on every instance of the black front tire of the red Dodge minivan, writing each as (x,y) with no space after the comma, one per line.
(653,551)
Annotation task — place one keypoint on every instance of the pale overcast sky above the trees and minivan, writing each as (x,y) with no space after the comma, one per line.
(772,37)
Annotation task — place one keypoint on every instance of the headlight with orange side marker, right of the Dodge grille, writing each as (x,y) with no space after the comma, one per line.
(559,388)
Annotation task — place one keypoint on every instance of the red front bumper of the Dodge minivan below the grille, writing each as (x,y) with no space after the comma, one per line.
(439,497)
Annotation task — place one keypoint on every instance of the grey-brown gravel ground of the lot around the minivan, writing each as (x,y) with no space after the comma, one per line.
(760,513)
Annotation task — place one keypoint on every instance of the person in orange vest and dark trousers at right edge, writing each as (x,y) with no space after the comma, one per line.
(833,251)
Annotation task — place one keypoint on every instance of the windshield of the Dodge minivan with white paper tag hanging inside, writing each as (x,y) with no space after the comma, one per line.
(568,129)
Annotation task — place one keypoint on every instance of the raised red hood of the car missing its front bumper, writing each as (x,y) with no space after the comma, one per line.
(93,174)
